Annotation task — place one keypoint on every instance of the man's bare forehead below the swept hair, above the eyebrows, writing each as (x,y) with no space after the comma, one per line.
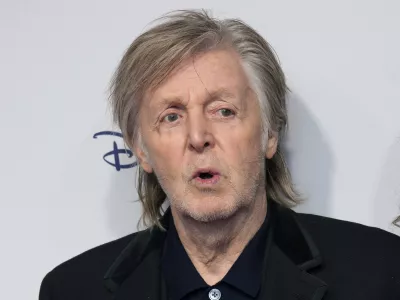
(214,71)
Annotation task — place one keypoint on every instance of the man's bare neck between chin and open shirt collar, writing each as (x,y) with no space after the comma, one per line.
(213,247)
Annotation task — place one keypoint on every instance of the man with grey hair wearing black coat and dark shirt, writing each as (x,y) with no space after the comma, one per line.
(201,102)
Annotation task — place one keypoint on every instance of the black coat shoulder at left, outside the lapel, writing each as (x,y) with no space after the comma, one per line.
(87,268)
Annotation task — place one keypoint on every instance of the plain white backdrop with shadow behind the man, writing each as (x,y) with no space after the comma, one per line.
(59,197)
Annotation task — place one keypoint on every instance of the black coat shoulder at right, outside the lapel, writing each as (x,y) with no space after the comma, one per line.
(355,256)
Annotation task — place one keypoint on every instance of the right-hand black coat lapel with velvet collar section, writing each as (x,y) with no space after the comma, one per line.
(291,253)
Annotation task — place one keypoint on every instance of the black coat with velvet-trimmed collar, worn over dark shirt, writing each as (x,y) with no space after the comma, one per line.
(309,258)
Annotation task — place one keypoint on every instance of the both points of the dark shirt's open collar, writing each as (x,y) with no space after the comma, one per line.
(182,277)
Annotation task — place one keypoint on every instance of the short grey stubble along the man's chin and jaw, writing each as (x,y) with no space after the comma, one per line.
(238,196)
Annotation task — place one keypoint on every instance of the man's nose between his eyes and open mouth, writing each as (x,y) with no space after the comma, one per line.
(200,137)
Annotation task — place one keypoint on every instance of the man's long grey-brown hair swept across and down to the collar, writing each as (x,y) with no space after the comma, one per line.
(157,52)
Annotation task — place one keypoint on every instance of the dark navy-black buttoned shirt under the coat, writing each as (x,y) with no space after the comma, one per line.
(242,282)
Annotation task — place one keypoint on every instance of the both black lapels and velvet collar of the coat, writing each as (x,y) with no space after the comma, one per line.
(291,254)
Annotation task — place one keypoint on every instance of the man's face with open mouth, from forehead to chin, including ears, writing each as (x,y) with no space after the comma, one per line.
(202,133)
